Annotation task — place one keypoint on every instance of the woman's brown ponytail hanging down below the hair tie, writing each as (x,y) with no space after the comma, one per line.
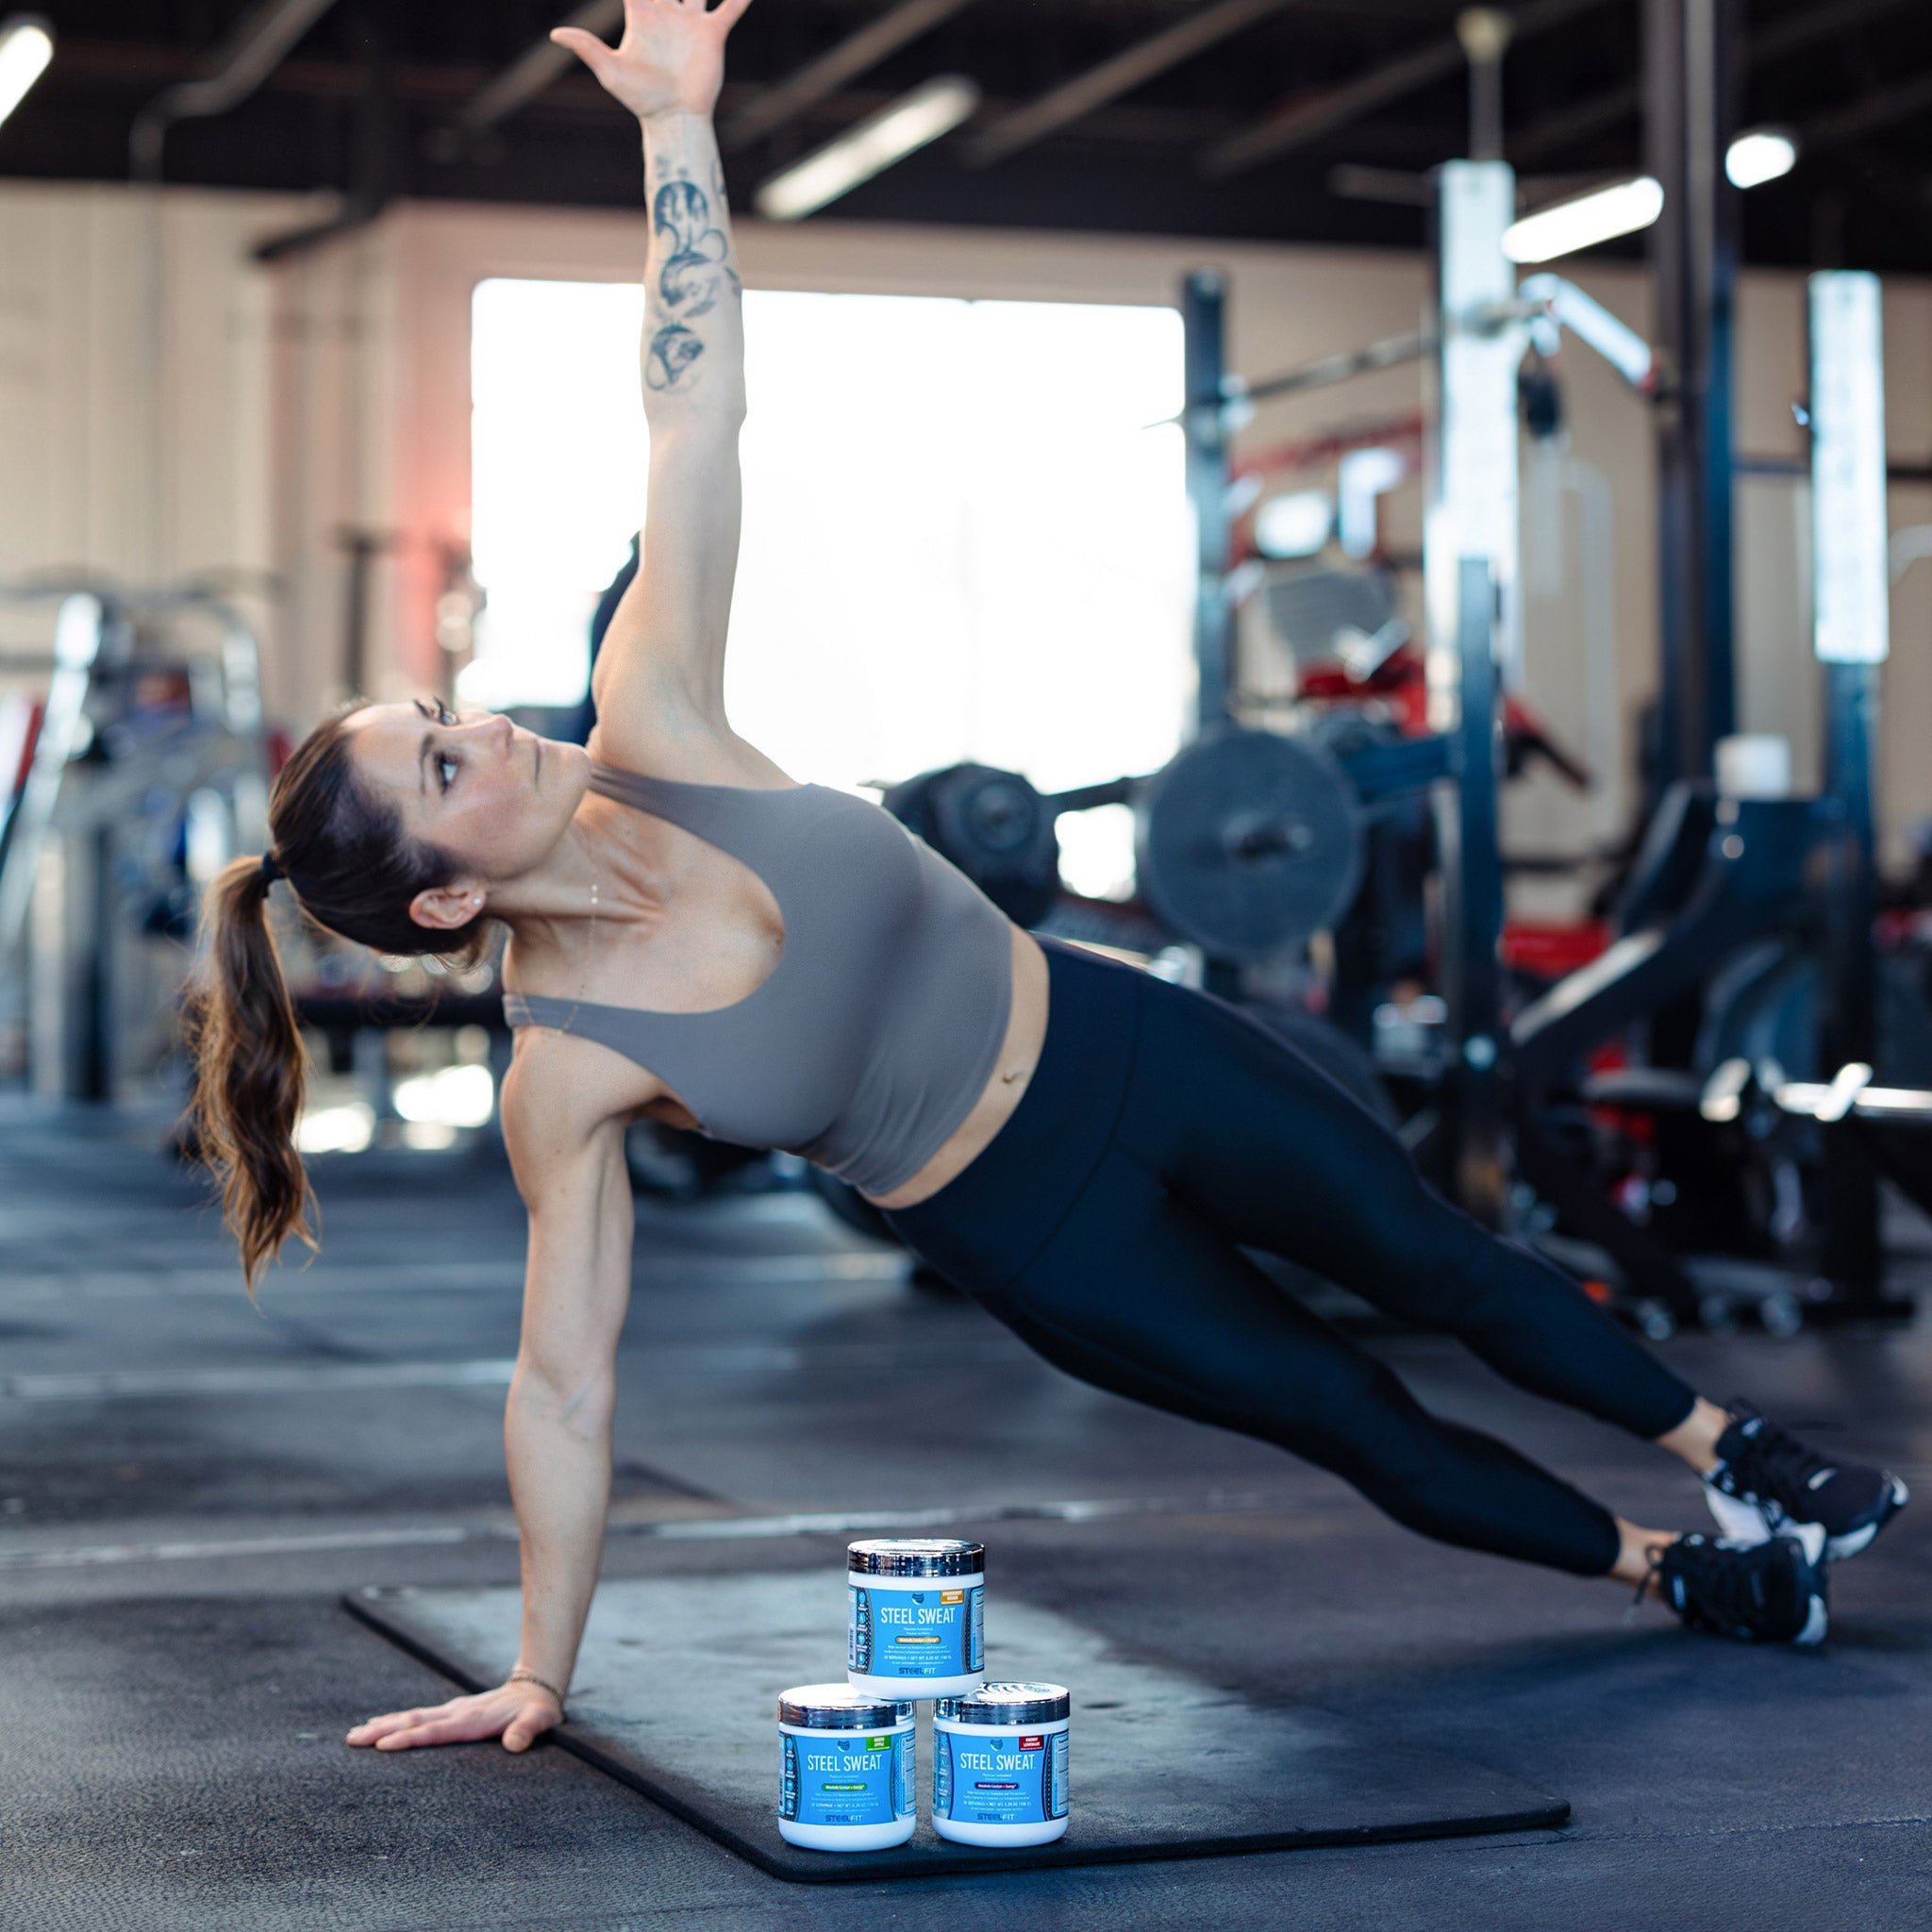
(250,1071)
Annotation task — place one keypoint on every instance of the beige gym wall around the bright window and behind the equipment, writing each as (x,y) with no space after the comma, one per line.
(277,409)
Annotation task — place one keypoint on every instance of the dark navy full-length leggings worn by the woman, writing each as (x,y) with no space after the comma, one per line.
(1162,1135)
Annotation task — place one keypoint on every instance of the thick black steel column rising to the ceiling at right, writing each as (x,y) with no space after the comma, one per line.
(1690,117)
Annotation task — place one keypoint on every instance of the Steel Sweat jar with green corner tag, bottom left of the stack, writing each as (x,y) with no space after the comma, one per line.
(845,1771)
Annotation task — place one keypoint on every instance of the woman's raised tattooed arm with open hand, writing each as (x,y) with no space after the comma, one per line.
(662,671)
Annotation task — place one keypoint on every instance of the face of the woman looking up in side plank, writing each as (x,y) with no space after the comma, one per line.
(492,795)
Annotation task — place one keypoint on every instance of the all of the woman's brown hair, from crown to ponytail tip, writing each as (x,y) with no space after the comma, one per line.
(355,872)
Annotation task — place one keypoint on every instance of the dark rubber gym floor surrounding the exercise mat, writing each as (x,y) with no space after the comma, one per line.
(190,1487)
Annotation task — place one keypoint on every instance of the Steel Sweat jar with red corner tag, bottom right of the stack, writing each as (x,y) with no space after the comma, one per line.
(1000,1765)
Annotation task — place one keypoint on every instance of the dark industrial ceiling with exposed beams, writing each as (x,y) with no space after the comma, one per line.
(1307,121)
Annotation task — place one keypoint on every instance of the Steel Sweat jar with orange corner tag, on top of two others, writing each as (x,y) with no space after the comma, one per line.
(917,1618)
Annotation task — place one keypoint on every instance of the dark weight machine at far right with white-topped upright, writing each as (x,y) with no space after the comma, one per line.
(1747,944)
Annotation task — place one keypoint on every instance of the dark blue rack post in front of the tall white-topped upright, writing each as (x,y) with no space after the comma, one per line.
(1473,907)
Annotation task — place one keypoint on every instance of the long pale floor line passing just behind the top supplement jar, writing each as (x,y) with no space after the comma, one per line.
(693,1529)
